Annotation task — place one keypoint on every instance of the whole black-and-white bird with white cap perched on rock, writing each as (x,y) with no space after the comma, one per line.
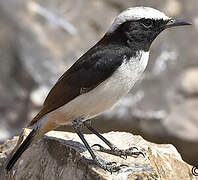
(99,79)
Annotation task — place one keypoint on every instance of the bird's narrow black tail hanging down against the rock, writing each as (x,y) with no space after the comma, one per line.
(12,160)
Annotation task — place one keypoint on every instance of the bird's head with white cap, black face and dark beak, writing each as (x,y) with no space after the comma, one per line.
(139,26)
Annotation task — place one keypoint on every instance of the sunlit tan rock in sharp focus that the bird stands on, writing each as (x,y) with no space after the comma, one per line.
(61,155)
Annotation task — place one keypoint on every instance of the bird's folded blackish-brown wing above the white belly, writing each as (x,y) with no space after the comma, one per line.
(85,74)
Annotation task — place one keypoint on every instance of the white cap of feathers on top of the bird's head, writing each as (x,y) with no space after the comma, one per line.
(135,14)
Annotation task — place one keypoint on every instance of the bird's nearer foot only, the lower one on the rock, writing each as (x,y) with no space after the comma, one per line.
(108,166)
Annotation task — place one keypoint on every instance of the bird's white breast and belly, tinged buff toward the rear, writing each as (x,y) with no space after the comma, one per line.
(105,95)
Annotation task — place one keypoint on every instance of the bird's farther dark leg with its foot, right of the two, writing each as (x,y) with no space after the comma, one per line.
(132,151)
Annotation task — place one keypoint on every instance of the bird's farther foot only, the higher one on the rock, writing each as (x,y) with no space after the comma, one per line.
(133,151)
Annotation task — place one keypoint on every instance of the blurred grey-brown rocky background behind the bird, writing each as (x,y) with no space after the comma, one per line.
(39,40)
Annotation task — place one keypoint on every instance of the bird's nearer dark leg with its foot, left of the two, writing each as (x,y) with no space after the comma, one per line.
(108,166)
